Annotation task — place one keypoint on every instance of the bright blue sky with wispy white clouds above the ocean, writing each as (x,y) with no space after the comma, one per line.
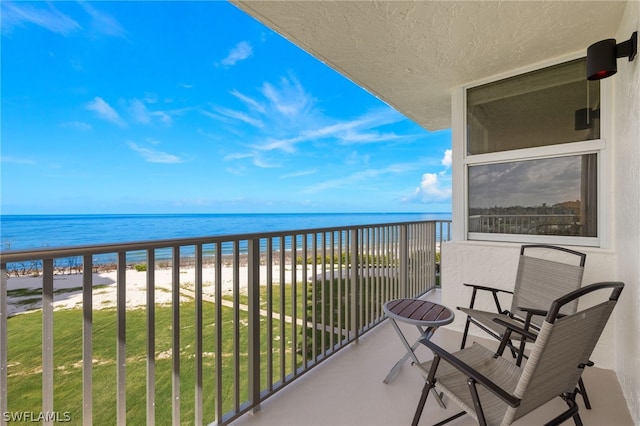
(195,107)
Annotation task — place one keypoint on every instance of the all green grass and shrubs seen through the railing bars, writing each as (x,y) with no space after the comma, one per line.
(312,301)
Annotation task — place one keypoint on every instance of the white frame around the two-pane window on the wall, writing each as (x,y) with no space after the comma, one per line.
(595,146)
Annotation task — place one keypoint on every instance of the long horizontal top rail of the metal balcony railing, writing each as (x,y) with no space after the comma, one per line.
(9,256)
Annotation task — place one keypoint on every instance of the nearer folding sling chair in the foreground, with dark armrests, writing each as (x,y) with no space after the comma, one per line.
(495,391)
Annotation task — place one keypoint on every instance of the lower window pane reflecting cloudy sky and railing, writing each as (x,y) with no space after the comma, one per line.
(551,196)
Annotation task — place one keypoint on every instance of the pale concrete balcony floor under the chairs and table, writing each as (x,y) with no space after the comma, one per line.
(348,390)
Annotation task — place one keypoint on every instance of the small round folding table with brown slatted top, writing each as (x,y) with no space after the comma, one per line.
(426,316)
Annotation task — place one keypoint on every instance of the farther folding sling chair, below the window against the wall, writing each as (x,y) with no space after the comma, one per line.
(539,281)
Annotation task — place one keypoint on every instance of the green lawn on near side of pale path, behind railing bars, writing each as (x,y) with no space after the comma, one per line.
(25,373)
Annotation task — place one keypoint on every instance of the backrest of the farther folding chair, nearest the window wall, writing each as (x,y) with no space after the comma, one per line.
(541,281)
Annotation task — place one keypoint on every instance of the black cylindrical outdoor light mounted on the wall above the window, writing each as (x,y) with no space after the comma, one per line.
(601,56)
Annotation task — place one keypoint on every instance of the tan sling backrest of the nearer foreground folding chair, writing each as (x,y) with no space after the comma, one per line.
(562,349)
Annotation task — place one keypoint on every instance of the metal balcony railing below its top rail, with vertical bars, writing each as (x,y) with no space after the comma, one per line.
(215,349)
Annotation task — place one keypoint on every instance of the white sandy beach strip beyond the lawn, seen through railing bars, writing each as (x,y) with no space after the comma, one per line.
(23,292)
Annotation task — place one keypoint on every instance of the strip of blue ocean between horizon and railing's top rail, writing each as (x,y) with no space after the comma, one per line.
(18,232)
